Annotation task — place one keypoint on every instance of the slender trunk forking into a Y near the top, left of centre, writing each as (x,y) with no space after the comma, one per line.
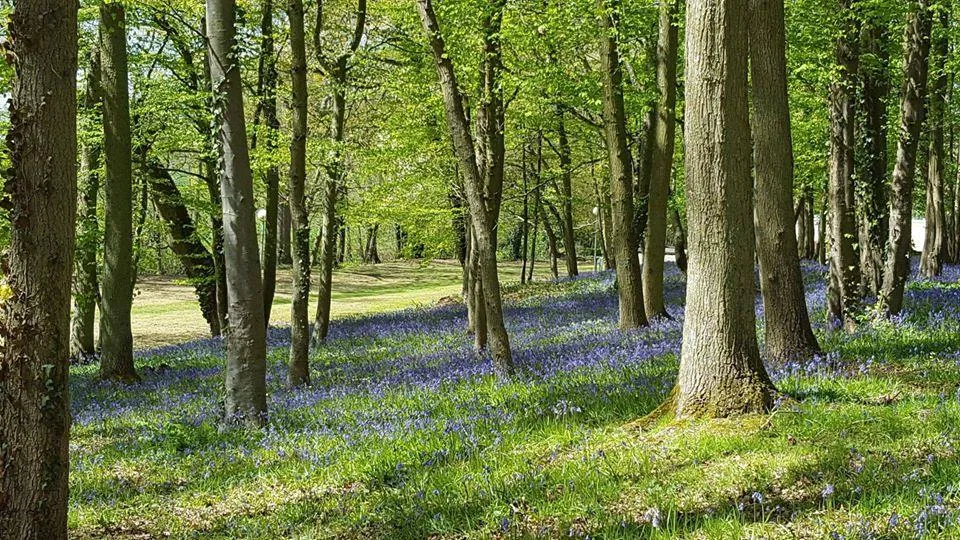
(338,69)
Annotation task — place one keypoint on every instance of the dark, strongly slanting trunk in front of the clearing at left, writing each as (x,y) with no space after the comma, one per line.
(185,243)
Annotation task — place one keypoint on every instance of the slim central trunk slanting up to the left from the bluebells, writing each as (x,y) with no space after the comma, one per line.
(481,222)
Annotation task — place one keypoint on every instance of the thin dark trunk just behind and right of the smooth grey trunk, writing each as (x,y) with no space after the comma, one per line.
(268,102)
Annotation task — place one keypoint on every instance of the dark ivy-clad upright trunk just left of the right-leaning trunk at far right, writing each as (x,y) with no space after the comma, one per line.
(874,184)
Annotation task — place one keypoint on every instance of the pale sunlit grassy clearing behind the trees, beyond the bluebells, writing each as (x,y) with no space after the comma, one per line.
(165,308)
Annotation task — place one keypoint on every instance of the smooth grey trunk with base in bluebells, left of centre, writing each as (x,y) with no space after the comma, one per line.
(246,399)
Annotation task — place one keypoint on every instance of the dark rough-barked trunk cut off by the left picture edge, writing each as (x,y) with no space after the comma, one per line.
(40,201)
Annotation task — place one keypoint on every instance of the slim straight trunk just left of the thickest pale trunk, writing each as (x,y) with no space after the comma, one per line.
(655,240)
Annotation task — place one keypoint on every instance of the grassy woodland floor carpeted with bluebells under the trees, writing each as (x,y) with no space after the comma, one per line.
(406,433)
